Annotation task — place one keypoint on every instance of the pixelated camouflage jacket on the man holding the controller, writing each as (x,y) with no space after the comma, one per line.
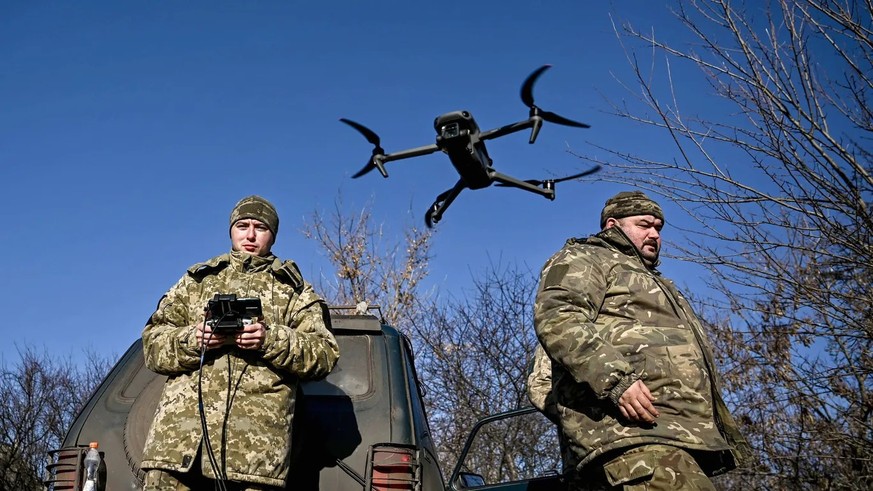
(248,397)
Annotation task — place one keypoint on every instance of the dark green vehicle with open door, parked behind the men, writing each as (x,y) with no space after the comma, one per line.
(363,427)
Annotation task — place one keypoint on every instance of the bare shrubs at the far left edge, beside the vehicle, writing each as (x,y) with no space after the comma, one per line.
(39,397)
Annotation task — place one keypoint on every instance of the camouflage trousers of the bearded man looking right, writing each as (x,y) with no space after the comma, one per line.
(644,468)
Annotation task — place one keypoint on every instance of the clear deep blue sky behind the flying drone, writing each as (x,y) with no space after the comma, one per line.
(129,129)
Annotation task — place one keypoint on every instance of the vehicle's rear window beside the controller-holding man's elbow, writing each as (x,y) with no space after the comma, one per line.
(353,374)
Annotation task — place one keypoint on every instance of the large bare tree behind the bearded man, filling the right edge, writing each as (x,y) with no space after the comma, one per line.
(776,170)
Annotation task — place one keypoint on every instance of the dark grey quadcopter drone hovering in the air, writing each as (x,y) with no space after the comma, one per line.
(459,137)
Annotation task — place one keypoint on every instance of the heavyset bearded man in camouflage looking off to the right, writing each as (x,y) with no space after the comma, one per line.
(635,389)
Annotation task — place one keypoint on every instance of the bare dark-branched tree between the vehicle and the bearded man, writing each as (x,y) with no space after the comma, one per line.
(475,355)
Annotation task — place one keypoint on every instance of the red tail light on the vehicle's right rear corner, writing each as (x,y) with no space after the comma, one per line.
(393,467)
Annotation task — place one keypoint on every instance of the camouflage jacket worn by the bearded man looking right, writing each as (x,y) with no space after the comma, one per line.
(606,320)
